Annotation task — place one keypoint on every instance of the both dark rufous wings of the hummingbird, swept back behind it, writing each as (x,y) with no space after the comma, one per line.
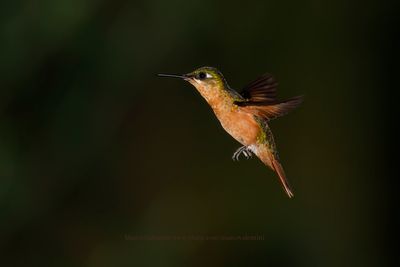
(260,99)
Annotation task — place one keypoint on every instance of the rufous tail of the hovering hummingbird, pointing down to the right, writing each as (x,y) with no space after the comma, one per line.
(269,159)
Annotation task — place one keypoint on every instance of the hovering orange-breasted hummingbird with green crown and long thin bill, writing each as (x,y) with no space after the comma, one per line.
(245,115)
